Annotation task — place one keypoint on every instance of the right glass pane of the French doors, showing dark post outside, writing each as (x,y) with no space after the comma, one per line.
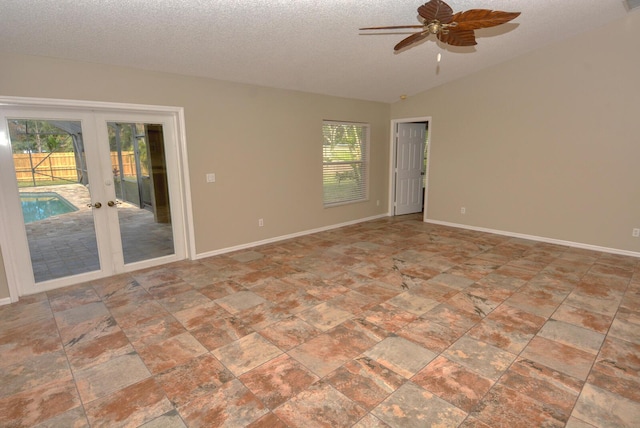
(140,178)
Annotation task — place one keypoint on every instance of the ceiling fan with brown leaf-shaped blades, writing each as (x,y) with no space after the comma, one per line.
(457,29)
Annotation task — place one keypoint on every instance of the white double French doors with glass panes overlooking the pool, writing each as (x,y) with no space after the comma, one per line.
(87,194)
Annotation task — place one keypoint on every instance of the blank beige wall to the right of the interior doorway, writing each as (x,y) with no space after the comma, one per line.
(547,144)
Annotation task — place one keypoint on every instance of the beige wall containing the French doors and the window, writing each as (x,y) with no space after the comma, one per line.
(264,145)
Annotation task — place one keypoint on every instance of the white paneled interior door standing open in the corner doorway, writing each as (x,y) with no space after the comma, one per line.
(410,145)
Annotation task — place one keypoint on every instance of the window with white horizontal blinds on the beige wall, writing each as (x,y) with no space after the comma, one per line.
(344,162)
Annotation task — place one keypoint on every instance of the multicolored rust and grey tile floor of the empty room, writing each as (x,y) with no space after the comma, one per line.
(391,322)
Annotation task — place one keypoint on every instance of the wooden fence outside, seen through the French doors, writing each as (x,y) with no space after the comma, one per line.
(61,166)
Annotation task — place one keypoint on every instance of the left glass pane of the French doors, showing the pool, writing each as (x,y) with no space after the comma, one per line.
(53,183)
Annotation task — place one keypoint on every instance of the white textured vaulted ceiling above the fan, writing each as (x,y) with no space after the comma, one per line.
(306,45)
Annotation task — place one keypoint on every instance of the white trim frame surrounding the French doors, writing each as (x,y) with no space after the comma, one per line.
(174,114)
